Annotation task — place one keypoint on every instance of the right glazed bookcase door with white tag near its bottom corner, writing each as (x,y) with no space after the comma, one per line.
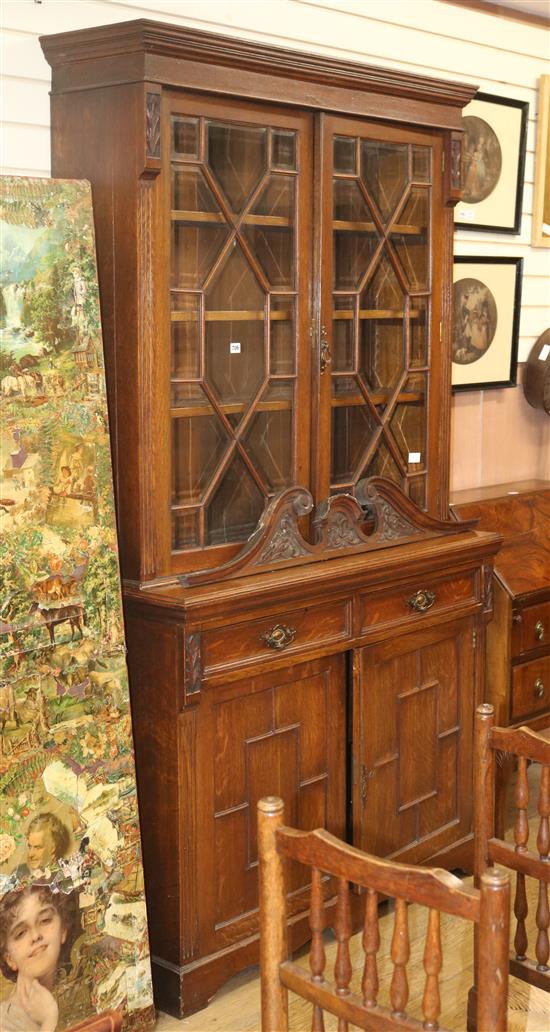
(381,269)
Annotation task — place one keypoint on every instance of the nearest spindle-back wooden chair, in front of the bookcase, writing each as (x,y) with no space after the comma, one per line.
(436,889)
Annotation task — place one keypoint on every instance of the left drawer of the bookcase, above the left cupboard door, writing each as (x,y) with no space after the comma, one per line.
(277,635)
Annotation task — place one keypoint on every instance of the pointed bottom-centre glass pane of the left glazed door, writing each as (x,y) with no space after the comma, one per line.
(237,506)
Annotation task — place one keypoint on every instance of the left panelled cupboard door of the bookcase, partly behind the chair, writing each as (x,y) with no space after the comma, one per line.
(282,734)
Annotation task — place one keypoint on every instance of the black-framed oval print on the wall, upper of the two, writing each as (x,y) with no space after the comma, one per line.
(494,160)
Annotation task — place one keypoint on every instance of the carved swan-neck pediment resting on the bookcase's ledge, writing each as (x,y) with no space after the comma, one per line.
(377,517)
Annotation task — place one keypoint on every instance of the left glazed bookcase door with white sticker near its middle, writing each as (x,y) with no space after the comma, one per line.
(239,202)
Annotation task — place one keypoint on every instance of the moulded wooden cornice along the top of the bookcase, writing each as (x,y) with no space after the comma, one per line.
(160,40)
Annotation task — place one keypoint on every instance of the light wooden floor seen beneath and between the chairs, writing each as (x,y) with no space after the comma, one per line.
(237,1007)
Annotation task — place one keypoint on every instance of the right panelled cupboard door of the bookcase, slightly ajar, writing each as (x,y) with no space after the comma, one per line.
(413,704)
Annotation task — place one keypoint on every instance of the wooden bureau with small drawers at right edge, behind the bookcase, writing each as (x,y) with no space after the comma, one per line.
(519,639)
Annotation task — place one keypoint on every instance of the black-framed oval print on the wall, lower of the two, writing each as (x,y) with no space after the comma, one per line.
(487,306)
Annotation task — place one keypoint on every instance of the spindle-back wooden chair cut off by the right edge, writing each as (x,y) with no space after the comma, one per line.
(491,849)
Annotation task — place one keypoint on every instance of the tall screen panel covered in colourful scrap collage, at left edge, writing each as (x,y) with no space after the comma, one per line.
(71,862)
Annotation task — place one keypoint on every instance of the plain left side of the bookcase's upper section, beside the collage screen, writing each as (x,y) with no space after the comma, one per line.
(99,136)
